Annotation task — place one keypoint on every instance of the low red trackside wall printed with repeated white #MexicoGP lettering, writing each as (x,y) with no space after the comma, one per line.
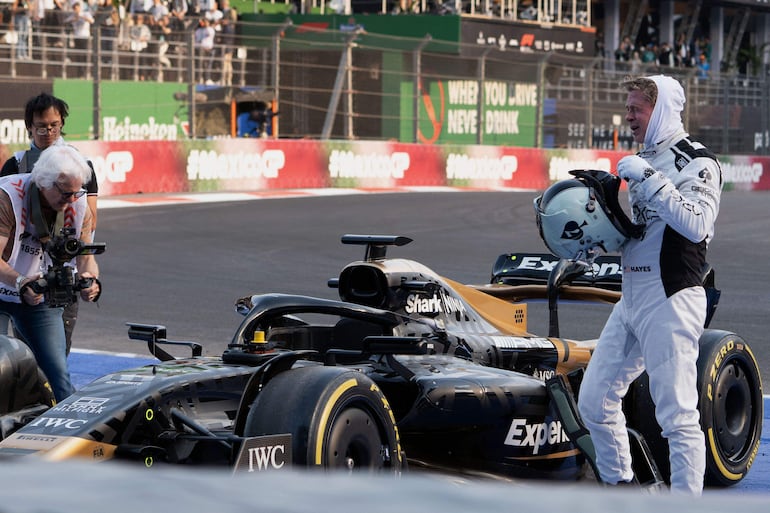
(218,165)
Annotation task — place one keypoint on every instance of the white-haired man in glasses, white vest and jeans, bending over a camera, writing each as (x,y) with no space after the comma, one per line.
(33,208)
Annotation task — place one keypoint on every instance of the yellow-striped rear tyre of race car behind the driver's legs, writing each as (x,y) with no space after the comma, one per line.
(730,405)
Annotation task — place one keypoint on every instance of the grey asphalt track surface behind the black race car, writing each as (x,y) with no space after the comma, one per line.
(182,262)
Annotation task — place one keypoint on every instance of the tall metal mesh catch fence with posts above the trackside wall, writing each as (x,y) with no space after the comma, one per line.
(350,84)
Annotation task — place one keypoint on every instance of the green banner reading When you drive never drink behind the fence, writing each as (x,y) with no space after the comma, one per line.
(471,112)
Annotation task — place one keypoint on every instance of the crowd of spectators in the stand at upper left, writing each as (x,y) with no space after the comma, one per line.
(154,30)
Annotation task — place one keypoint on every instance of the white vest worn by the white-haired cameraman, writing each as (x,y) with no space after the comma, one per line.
(27,255)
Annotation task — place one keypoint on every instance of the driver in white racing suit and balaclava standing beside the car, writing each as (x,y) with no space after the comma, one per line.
(674,190)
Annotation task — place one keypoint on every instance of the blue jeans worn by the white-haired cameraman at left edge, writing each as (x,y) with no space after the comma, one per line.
(42,329)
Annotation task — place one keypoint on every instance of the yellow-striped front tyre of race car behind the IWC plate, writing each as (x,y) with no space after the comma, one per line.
(338,419)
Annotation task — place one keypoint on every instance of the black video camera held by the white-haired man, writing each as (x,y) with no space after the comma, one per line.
(59,285)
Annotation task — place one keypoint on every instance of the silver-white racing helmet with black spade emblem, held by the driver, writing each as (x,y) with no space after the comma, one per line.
(578,216)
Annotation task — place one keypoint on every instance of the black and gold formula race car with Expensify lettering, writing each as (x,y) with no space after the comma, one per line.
(407,369)
